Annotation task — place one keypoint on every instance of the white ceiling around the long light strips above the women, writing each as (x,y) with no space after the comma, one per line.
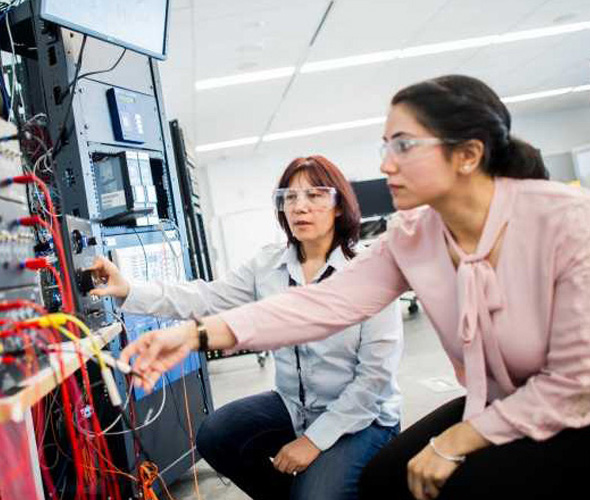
(213,38)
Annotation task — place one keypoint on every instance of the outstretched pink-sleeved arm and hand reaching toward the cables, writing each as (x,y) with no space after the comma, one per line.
(367,285)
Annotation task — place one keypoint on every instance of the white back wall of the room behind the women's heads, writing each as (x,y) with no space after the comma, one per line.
(238,190)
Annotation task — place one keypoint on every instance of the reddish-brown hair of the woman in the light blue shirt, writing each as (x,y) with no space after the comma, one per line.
(322,172)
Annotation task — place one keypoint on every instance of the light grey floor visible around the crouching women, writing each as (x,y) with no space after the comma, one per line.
(426,379)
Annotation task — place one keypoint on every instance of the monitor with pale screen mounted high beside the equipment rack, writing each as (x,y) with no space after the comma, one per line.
(139,25)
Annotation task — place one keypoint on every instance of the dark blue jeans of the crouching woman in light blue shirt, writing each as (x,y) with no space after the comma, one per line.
(238,439)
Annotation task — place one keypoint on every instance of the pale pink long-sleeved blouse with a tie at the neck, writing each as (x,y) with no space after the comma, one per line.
(518,334)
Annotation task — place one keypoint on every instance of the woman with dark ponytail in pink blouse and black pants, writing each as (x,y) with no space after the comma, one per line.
(500,259)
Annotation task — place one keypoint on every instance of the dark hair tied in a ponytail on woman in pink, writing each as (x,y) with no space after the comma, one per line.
(461,108)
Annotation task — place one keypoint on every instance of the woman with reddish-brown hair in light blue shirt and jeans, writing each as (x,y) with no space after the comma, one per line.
(336,401)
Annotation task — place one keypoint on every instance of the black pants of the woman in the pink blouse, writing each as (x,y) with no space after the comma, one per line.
(522,469)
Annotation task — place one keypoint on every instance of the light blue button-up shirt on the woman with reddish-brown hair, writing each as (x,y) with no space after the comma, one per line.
(349,378)
